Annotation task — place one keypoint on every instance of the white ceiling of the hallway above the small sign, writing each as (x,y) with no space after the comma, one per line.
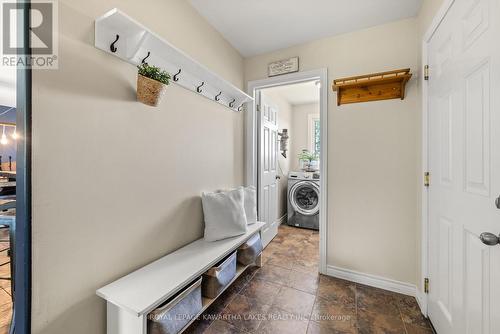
(258,26)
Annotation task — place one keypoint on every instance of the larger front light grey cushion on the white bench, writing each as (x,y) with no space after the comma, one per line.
(224,214)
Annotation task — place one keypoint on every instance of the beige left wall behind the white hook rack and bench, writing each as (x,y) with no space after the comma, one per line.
(116,183)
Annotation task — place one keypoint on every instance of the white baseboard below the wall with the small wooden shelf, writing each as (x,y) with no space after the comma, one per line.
(373,280)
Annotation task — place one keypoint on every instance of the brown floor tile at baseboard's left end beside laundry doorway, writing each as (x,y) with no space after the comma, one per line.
(336,290)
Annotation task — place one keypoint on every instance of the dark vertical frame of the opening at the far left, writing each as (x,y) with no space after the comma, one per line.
(22,255)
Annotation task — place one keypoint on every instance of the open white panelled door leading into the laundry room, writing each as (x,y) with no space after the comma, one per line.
(267,118)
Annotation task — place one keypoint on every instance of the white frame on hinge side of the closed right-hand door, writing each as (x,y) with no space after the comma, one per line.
(422,297)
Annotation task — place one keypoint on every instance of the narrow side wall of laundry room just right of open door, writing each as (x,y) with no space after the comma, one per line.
(284,122)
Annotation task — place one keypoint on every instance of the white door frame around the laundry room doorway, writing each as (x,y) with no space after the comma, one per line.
(251,148)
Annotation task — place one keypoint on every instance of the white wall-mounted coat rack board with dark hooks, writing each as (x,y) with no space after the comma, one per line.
(136,41)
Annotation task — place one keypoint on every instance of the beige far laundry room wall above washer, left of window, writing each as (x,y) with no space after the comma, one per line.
(300,130)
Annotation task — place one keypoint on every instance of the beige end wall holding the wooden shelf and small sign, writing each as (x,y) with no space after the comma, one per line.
(372,160)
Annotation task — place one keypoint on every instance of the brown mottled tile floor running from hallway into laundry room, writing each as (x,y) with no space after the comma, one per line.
(287,295)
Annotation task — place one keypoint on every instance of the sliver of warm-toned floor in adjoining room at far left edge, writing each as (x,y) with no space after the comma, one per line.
(5,298)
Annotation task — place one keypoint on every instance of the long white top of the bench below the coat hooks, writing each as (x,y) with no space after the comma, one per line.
(143,290)
